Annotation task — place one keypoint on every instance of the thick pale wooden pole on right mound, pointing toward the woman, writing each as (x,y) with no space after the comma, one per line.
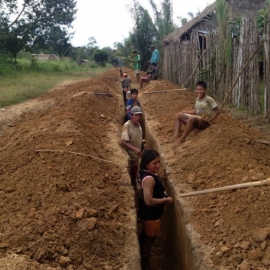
(237,186)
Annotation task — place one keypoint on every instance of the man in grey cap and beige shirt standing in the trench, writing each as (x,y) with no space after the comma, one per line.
(131,139)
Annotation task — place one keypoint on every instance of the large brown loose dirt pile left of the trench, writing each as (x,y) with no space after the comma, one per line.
(60,207)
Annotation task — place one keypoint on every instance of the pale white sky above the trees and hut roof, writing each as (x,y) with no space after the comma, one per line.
(109,21)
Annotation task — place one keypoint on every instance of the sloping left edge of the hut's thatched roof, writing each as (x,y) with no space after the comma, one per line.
(174,36)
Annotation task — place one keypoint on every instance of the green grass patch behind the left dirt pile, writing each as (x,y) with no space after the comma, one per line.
(25,80)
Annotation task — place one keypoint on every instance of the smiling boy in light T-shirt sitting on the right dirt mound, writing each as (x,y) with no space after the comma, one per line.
(205,111)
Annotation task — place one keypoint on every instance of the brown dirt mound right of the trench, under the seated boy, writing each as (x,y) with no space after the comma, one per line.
(234,224)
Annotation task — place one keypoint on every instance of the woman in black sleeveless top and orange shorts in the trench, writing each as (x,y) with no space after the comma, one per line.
(152,197)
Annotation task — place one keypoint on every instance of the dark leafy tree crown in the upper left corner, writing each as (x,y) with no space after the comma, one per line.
(39,25)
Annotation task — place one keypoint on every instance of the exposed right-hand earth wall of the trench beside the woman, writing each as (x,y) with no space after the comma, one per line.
(173,250)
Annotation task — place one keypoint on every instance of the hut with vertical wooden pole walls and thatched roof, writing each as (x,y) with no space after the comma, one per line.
(198,51)
